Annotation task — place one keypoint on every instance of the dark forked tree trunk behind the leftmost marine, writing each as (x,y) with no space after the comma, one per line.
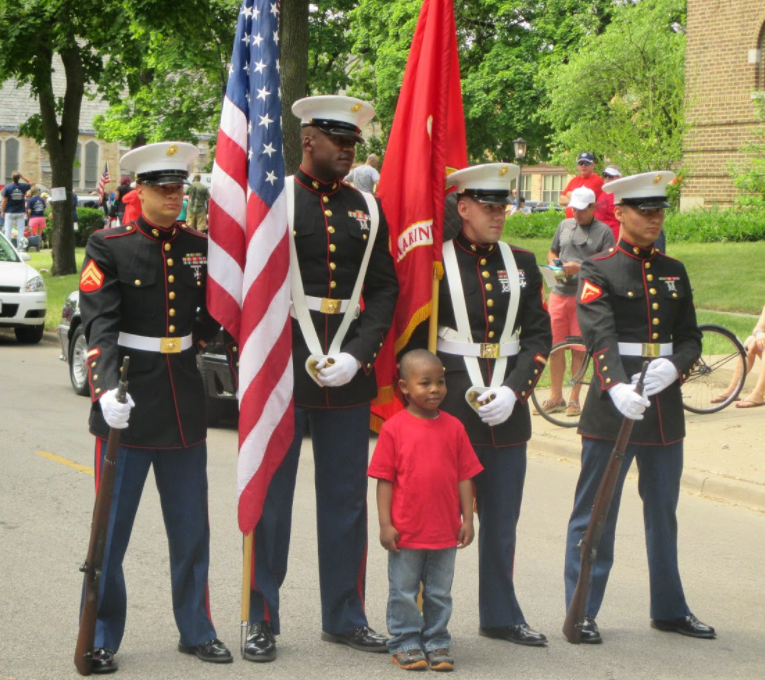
(61,141)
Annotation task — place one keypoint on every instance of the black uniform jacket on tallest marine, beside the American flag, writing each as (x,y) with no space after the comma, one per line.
(331,232)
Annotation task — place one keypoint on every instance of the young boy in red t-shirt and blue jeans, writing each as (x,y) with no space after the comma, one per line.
(423,463)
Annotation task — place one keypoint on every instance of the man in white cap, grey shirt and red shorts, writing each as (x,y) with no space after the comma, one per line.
(575,240)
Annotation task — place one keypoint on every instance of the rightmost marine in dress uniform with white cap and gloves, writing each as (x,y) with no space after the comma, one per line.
(635,303)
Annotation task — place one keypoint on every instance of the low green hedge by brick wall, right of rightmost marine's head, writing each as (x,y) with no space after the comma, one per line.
(716,225)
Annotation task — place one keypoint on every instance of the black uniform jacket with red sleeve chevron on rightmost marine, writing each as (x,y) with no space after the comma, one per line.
(638,295)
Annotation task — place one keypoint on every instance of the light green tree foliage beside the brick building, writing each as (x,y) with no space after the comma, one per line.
(621,95)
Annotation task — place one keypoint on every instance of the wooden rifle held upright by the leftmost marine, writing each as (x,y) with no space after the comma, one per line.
(83,652)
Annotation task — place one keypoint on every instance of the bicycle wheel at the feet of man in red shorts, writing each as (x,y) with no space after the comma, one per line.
(570,349)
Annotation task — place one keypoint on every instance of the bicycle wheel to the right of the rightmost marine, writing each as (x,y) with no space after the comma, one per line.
(720,370)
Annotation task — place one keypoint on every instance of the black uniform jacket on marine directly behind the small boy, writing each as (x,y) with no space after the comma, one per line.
(487,297)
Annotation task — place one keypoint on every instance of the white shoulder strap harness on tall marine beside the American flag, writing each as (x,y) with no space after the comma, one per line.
(299,299)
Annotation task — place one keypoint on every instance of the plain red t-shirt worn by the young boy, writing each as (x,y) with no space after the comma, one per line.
(425,460)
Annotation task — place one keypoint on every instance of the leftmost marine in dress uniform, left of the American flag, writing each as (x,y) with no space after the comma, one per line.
(142,295)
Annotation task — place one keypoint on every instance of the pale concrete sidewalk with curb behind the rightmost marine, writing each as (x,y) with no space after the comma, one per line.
(724,453)
